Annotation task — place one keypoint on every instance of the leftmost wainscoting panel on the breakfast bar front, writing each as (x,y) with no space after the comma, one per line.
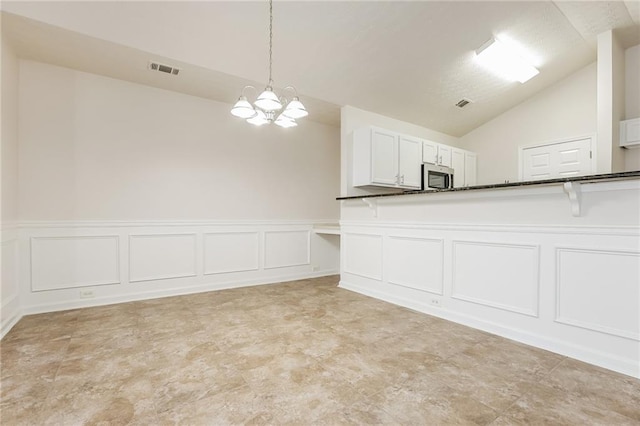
(364,255)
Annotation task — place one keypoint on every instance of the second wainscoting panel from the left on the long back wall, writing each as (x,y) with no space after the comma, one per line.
(161,256)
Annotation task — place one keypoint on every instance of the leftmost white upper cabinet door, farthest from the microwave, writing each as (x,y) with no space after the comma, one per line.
(384,157)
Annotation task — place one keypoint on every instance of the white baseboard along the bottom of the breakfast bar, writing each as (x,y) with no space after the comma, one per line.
(606,360)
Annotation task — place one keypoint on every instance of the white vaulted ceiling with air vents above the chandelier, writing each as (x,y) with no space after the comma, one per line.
(407,60)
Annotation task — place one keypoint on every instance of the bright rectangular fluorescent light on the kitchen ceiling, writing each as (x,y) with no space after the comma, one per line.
(502,60)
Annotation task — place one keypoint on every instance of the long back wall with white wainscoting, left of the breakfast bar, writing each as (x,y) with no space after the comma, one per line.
(129,192)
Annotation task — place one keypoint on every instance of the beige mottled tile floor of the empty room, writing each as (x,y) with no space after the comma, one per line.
(300,353)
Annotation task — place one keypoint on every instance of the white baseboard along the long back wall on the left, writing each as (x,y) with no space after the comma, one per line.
(177,291)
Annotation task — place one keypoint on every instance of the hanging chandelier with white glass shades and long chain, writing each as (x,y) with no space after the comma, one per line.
(265,109)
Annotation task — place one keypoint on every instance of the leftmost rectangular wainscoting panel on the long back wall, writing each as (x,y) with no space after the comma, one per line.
(74,261)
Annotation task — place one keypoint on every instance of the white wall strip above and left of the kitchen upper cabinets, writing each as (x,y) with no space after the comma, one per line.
(352,118)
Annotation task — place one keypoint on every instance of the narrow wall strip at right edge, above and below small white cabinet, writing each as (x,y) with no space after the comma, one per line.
(632,100)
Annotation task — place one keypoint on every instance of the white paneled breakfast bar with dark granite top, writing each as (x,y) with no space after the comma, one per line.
(554,263)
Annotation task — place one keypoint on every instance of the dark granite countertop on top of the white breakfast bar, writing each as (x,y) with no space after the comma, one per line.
(580,179)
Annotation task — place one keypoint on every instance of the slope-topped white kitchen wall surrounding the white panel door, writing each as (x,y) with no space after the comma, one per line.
(564,110)
